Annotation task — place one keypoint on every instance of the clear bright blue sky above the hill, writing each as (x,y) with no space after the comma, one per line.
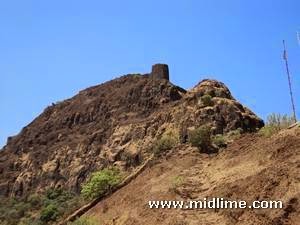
(49,50)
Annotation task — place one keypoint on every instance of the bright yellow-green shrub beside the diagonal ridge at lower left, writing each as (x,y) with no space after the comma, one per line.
(100,182)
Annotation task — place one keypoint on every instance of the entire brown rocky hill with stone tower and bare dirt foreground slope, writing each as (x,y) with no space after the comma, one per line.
(120,123)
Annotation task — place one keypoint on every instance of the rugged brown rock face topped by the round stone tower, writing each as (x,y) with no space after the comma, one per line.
(114,123)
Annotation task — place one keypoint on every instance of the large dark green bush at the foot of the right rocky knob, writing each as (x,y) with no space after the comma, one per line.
(201,137)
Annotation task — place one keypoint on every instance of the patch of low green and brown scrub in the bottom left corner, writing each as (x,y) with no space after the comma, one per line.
(38,209)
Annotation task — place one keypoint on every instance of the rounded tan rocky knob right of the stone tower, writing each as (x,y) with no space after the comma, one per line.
(224,113)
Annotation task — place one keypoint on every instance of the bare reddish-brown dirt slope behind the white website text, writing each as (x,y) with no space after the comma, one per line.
(251,168)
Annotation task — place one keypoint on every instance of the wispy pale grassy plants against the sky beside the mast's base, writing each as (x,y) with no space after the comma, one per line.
(276,122)
